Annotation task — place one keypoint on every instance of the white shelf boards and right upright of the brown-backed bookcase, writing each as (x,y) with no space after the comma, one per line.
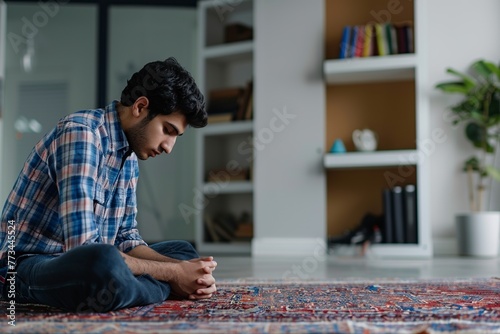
(386,69)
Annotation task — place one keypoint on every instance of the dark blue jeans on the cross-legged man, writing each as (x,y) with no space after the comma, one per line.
(93,278)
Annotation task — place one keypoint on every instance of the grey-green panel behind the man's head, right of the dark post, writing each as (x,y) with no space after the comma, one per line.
(139,35)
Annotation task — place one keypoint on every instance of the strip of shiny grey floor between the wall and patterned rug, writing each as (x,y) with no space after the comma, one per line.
(346,268)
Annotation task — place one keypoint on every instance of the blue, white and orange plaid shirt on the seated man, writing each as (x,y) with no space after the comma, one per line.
(77,187)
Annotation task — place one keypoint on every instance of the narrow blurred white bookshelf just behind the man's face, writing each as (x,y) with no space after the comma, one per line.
(225,150)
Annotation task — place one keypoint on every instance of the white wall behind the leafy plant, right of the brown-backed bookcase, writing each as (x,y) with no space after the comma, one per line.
(459,32)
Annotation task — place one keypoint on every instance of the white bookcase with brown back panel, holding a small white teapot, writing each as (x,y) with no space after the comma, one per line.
(384,94)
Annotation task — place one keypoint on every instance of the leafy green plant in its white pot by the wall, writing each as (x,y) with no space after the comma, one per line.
(479,111)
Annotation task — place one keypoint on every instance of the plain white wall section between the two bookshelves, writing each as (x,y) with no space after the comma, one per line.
(290,195)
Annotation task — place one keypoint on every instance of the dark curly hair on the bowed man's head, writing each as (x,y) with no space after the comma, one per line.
(169,88)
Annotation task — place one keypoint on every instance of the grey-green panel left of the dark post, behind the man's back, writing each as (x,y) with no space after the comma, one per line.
(64,52)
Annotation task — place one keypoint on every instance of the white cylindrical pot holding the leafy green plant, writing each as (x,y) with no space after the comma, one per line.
(478,234)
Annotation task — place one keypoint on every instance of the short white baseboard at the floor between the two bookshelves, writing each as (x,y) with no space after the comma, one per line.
(288,246)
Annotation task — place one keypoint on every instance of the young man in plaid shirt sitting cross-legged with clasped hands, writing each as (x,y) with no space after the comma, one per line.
(68,232)
